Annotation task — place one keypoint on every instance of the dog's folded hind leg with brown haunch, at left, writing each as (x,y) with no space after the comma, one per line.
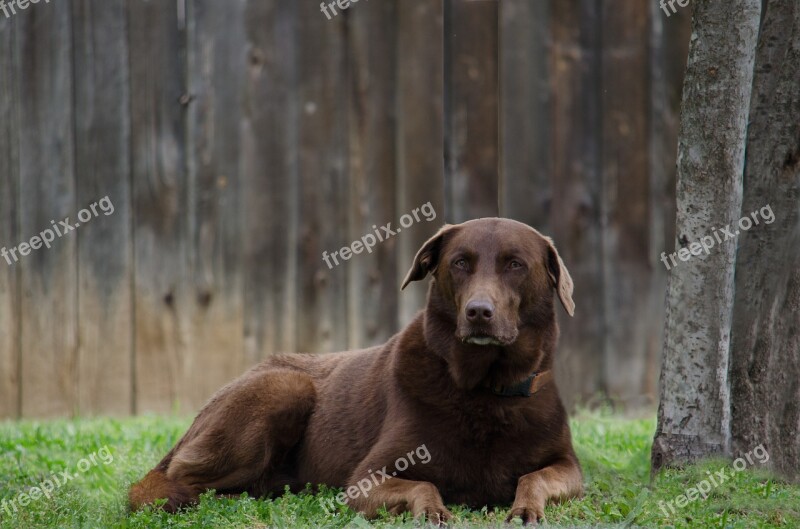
(245,432)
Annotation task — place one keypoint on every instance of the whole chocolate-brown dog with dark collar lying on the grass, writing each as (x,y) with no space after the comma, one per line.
(459,407)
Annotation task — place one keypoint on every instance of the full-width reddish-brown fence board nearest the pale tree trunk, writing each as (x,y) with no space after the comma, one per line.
(631,349)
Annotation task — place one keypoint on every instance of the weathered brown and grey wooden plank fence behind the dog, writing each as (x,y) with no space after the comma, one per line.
(239,139)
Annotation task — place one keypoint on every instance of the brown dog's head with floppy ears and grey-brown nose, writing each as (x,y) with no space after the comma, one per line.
(493,278)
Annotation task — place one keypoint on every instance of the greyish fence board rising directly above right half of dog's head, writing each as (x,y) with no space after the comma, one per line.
(525,126)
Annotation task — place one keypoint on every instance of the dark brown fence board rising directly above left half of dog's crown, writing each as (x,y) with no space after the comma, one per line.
(471,108)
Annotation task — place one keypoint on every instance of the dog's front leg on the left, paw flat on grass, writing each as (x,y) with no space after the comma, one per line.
(420,498)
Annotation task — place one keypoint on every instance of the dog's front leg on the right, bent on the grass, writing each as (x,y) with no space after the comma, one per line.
(560,481)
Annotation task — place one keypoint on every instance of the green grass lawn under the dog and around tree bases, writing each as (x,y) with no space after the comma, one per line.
(614,453)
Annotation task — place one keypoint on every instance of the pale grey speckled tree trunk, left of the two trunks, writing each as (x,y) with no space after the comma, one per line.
(694,413)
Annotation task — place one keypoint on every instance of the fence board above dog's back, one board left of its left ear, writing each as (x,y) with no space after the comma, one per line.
(372,277)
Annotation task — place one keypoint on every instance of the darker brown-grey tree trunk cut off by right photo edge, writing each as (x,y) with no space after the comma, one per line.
(765,337)
